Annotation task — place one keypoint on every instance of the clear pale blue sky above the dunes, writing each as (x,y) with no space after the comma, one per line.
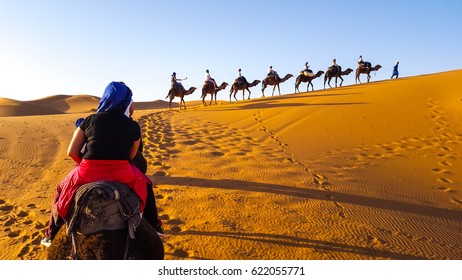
(50,47)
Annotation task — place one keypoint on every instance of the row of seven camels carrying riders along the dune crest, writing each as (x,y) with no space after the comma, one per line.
(272,79)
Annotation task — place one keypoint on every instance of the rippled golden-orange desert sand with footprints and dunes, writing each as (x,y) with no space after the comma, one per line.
(359,172)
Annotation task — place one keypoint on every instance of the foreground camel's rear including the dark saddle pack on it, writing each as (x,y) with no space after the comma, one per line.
(105,222)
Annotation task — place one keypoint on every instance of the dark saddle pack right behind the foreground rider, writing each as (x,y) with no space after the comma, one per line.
(104,205)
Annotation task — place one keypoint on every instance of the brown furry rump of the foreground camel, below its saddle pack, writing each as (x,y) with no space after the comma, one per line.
(109,245)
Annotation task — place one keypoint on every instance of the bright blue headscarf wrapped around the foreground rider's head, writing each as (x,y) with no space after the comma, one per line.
(117,97)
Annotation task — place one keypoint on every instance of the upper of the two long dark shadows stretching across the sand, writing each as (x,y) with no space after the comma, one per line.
(372,202)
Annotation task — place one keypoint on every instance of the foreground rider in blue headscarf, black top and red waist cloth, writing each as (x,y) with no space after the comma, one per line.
(111,140)
